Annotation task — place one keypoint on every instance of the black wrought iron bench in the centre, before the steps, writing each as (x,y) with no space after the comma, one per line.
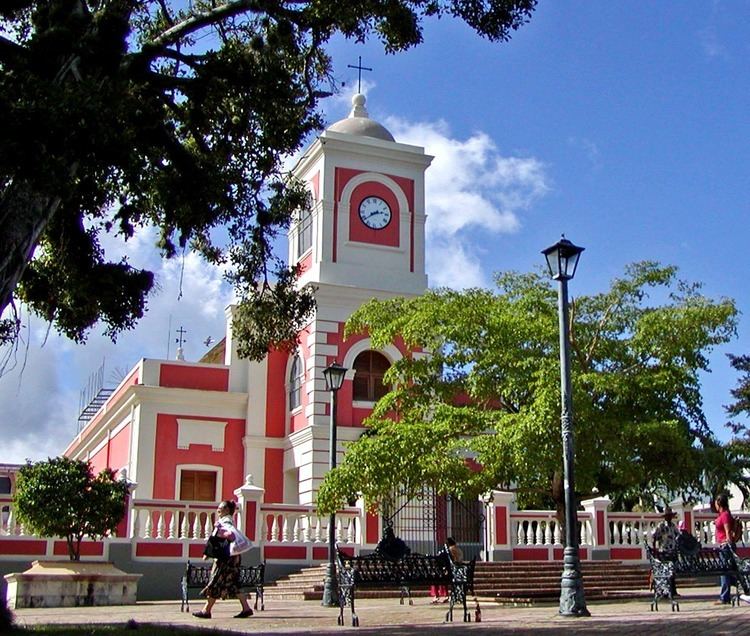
(376,571)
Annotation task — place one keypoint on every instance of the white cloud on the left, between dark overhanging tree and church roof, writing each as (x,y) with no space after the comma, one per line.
(40,395)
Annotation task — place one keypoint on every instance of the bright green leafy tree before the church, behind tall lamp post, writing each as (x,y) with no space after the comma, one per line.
(490,390)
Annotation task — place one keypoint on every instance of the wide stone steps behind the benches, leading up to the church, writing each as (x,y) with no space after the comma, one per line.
(511,583)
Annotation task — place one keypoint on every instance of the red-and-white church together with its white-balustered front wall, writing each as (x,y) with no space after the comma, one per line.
(188,434)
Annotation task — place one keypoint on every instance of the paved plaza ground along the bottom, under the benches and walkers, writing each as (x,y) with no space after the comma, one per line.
(697,615)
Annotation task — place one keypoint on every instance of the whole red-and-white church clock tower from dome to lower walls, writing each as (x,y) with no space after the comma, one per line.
(363,238)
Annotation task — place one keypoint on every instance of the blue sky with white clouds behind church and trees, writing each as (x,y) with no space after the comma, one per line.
(623,124)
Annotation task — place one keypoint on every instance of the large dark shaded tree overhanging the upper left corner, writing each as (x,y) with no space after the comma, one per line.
(119,114)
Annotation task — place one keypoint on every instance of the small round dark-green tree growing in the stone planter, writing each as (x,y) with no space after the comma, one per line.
(61,497)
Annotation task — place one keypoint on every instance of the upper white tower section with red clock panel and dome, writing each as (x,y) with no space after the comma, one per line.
(367,226)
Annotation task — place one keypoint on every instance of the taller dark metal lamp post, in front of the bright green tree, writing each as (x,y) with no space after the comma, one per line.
(562,260)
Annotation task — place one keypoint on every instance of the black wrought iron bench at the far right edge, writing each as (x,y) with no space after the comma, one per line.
(705,562)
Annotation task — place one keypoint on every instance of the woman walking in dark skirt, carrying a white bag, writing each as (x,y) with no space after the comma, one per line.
(225,573)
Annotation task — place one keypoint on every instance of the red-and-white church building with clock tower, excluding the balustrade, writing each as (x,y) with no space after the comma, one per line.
(193,431)
